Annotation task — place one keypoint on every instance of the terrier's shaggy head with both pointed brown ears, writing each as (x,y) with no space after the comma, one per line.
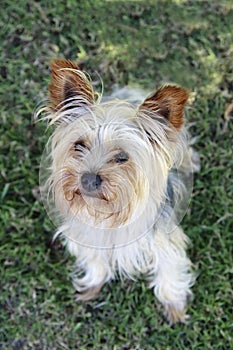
(110,160)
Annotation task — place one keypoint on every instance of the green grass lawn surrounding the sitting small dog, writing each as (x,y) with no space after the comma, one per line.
(144,43)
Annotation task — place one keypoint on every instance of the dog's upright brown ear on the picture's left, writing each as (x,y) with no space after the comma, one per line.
(69,83)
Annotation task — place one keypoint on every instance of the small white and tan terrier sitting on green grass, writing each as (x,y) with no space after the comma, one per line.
(113,185)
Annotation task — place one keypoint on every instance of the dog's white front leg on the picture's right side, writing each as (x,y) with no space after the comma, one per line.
(172,277)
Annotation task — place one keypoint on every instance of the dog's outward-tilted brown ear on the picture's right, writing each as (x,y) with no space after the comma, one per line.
(169,102)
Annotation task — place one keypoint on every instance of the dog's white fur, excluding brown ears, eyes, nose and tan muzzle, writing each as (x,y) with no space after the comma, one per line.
(149,242)
